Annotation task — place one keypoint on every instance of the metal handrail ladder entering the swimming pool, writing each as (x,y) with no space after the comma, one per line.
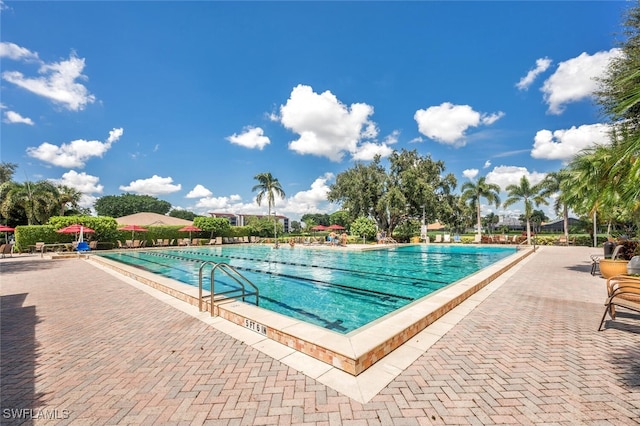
(236,293)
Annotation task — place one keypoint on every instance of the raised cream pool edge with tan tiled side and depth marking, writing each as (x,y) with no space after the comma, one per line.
(353,353)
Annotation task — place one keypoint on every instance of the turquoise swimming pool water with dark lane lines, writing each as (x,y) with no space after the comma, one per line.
(337,289)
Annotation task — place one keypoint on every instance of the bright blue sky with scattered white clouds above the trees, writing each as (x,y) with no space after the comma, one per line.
(188,101)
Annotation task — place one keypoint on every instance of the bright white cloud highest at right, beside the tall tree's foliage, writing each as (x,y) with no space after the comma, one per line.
(575,79)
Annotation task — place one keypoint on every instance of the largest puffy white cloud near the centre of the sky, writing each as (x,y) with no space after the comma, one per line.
(327,127)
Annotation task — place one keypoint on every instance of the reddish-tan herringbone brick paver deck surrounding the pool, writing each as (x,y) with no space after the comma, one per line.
(84,347)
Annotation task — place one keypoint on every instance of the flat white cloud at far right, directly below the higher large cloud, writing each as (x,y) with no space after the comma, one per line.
(565,144)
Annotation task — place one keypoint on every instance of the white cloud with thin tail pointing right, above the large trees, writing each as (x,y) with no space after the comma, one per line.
(447,123)
